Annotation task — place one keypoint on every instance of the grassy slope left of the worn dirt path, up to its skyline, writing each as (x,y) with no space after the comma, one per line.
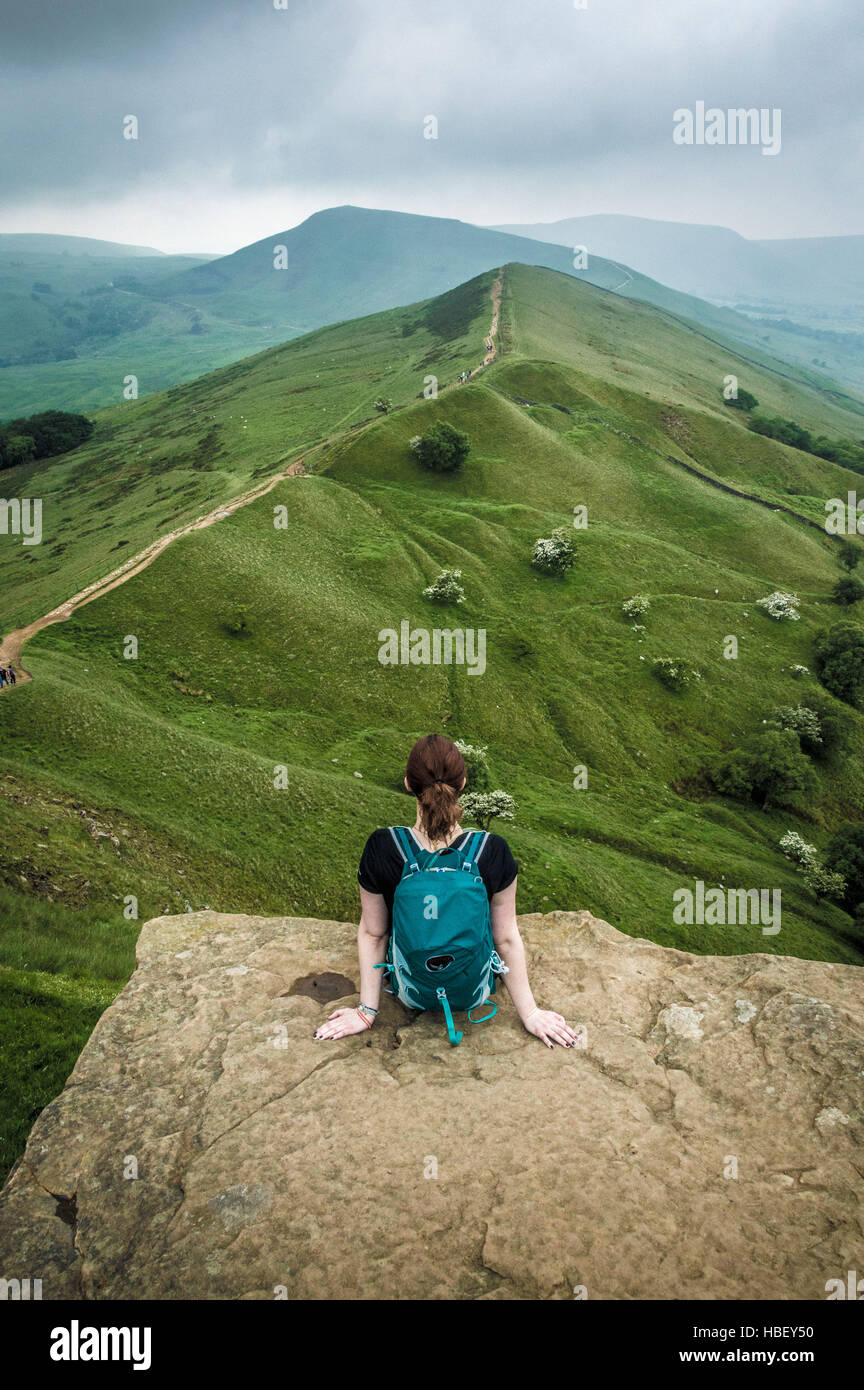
(163,461)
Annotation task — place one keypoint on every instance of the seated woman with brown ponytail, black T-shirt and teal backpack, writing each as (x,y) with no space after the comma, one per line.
(438,913)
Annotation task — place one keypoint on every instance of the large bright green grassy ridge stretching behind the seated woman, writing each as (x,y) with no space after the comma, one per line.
(155,778)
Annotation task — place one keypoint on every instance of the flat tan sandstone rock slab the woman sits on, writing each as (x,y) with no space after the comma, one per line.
(701,1145)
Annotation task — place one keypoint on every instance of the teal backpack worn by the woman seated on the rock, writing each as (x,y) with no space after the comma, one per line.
(441,954)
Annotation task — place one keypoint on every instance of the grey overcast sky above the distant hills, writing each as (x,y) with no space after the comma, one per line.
(254,117)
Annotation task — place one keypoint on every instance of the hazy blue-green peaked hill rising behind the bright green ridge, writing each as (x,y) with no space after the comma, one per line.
(76,327)
